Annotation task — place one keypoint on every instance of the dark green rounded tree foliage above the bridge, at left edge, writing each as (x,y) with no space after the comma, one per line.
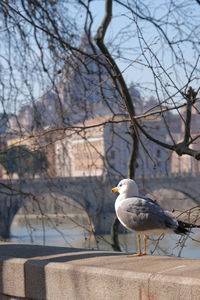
(20,160)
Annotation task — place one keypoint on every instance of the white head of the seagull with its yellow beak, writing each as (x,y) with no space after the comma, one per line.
(127,187)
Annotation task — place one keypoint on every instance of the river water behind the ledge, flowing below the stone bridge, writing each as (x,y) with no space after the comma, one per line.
(74,234)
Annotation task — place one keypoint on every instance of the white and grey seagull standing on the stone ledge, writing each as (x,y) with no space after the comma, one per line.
(144,215)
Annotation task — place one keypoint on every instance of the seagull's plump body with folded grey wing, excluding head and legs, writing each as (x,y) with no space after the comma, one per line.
(143,214)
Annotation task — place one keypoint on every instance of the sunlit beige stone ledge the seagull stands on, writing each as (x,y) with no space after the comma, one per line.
(57,273)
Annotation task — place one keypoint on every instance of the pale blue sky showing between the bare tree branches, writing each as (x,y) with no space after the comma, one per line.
(122,40)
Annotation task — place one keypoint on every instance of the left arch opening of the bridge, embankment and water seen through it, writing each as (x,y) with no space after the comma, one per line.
(57,211)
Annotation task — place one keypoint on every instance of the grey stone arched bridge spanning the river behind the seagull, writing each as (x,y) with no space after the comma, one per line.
(92,193)
